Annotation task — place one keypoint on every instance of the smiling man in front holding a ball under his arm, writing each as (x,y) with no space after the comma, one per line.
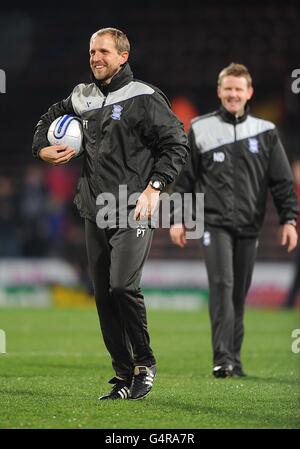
(131,137)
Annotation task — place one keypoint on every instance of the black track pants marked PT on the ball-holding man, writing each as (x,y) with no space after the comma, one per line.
(116,258)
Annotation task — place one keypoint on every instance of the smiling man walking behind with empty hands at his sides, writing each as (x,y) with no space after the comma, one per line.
(235,159)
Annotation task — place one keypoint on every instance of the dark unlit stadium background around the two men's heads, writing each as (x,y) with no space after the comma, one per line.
(180,48)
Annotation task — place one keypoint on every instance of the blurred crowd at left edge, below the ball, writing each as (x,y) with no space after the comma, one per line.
(38,218)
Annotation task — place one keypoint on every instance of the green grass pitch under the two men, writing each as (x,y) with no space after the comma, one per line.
(56,367)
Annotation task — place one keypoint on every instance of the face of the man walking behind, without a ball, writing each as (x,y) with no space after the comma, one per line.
(234,93)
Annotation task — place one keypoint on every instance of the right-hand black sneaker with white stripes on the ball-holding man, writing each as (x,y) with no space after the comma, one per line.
(142,381)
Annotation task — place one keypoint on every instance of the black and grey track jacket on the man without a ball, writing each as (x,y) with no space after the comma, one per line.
(234,161)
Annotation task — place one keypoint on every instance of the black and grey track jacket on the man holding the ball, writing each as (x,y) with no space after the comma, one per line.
(130,136)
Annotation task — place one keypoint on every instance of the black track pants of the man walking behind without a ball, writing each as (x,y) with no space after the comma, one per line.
(229,261)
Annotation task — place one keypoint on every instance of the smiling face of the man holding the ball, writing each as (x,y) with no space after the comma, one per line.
(105,61)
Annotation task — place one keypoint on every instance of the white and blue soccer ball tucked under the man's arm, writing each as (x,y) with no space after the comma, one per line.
(66,130)
